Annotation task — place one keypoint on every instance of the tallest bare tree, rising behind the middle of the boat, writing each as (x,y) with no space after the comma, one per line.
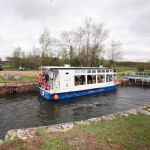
(94,35)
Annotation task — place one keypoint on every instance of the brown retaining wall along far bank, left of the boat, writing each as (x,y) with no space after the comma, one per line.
(17,88)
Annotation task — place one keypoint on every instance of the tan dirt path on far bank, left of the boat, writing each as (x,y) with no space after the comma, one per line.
(30,73)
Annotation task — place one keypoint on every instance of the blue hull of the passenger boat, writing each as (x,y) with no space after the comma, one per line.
(62,96)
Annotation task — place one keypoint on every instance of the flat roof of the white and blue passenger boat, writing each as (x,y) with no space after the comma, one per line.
(68,67)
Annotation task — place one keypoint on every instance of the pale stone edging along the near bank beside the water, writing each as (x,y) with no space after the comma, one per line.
(30,132)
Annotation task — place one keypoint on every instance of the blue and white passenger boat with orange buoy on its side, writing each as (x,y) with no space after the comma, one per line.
(67,82)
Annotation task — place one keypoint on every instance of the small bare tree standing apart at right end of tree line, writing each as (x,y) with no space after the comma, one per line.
(115,52)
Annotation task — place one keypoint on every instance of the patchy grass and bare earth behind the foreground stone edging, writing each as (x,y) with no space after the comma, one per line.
(131,133)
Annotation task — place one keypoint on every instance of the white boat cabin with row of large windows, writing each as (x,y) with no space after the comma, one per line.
(66,79)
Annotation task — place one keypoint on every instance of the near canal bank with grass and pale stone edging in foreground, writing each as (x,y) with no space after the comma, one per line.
(122,130)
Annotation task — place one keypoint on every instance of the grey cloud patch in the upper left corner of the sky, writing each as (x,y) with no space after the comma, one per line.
(32,10)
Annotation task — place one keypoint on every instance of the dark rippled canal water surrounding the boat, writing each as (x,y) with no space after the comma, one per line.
(29,110)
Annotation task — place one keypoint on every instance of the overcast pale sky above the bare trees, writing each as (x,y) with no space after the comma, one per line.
(23,21)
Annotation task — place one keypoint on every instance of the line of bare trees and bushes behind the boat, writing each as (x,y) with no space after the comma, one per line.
(84,46)
